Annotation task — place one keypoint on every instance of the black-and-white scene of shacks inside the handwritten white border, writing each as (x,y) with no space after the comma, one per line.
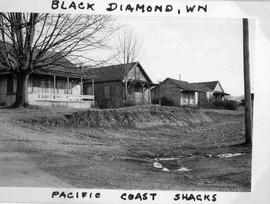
(95,101)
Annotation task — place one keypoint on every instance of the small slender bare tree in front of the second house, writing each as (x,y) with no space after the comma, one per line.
(128,51)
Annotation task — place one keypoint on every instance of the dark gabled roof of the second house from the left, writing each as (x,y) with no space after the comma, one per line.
(115,72)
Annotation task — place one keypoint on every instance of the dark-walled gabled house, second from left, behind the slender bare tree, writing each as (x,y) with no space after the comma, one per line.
(110,83)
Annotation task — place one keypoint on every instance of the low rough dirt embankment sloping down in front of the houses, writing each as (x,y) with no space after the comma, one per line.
(132,117)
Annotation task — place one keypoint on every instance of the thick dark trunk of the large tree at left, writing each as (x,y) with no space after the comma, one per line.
(21,92)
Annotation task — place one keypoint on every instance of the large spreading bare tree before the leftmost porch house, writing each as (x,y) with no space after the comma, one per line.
(32,41)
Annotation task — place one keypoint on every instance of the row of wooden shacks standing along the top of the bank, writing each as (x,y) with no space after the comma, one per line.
(108,86)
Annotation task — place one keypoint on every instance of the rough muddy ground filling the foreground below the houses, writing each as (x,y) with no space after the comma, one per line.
(38,150)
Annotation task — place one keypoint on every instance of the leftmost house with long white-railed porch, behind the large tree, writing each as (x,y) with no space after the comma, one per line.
(61,85)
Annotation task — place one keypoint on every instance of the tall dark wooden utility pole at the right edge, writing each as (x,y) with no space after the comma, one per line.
(248,106)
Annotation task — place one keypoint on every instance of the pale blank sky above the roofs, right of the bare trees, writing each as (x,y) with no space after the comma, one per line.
(197,49)
